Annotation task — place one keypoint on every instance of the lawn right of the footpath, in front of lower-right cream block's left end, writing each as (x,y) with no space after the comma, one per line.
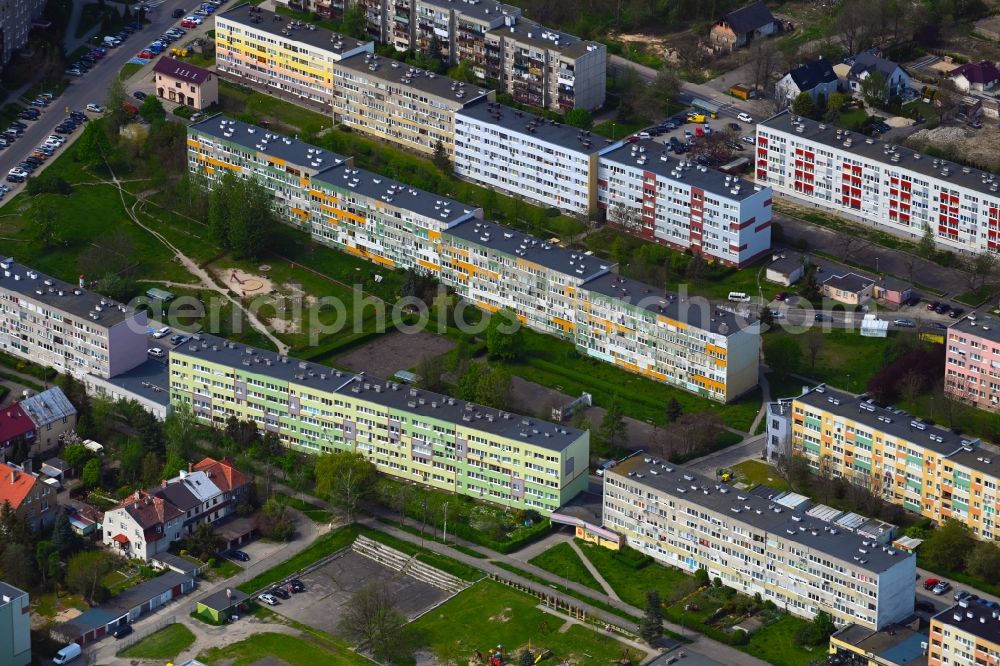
(631,582)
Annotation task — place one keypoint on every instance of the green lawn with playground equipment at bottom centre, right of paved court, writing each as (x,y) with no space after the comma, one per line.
(490,614)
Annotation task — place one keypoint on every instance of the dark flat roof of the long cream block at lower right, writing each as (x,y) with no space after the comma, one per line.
(759,512)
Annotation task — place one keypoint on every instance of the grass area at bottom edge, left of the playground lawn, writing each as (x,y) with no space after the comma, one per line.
(282,648)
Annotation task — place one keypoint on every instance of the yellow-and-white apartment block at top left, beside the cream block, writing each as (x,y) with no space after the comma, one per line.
(280,56)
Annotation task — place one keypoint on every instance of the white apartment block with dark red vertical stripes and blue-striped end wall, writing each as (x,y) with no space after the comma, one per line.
(647,192)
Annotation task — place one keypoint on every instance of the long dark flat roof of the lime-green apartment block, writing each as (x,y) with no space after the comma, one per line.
(386,393)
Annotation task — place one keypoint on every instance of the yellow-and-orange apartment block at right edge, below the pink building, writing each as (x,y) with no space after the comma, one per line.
(924,468)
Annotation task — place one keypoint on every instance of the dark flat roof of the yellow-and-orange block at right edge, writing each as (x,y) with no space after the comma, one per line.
(890,420)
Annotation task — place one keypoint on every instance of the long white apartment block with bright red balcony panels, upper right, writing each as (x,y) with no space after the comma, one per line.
(892,187)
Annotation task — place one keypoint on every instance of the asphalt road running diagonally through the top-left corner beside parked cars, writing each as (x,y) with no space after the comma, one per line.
(91,87)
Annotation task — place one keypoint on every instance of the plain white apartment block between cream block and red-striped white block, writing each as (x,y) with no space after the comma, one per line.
(519,153)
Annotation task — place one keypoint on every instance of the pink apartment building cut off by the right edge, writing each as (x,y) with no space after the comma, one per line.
(972,361)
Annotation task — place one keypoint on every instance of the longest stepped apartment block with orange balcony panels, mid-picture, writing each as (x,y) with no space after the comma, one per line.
(645,330)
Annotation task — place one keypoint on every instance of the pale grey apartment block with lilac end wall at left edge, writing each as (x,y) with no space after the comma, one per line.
(66,327)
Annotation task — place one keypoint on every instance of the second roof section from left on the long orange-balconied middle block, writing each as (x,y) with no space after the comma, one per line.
(394,193)
